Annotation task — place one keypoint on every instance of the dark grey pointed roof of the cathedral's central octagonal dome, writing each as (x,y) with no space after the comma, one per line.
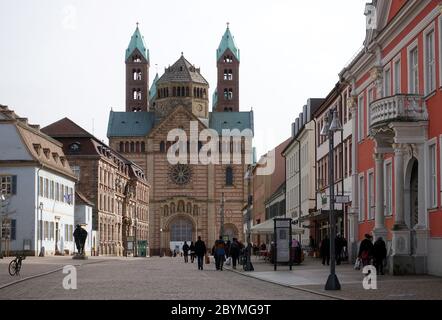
(182,71)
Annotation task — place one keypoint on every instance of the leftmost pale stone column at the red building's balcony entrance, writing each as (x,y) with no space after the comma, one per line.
(380,230)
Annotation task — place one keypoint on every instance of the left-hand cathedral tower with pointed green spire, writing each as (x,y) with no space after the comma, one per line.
(137,74)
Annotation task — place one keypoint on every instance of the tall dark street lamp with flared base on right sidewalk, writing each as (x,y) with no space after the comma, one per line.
(329,130)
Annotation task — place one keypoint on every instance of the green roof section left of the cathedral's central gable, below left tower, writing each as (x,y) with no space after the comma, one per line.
(130,124)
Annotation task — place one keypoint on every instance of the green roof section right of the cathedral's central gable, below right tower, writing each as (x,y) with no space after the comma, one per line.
(231,120)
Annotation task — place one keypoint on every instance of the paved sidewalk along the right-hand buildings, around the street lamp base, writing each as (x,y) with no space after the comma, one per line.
(311,276)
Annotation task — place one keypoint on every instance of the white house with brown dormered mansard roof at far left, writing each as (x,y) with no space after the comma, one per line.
(38,185)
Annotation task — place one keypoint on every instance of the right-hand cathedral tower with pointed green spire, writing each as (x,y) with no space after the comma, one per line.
(226,96)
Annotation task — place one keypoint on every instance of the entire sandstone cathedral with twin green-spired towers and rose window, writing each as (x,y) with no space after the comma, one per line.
(190,198)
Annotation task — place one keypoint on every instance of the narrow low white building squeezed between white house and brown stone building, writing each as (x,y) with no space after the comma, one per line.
(83,217)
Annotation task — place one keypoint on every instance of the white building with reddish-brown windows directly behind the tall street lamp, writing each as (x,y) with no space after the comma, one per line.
(343,163)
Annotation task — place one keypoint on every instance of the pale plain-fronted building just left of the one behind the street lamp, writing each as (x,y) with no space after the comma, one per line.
(300,169)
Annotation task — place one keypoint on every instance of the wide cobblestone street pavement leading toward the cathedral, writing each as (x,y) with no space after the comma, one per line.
(146,278)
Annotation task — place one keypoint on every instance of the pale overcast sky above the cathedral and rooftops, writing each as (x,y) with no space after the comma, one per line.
(62,58)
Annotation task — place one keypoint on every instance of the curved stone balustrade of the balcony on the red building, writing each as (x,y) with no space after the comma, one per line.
(406,108)
